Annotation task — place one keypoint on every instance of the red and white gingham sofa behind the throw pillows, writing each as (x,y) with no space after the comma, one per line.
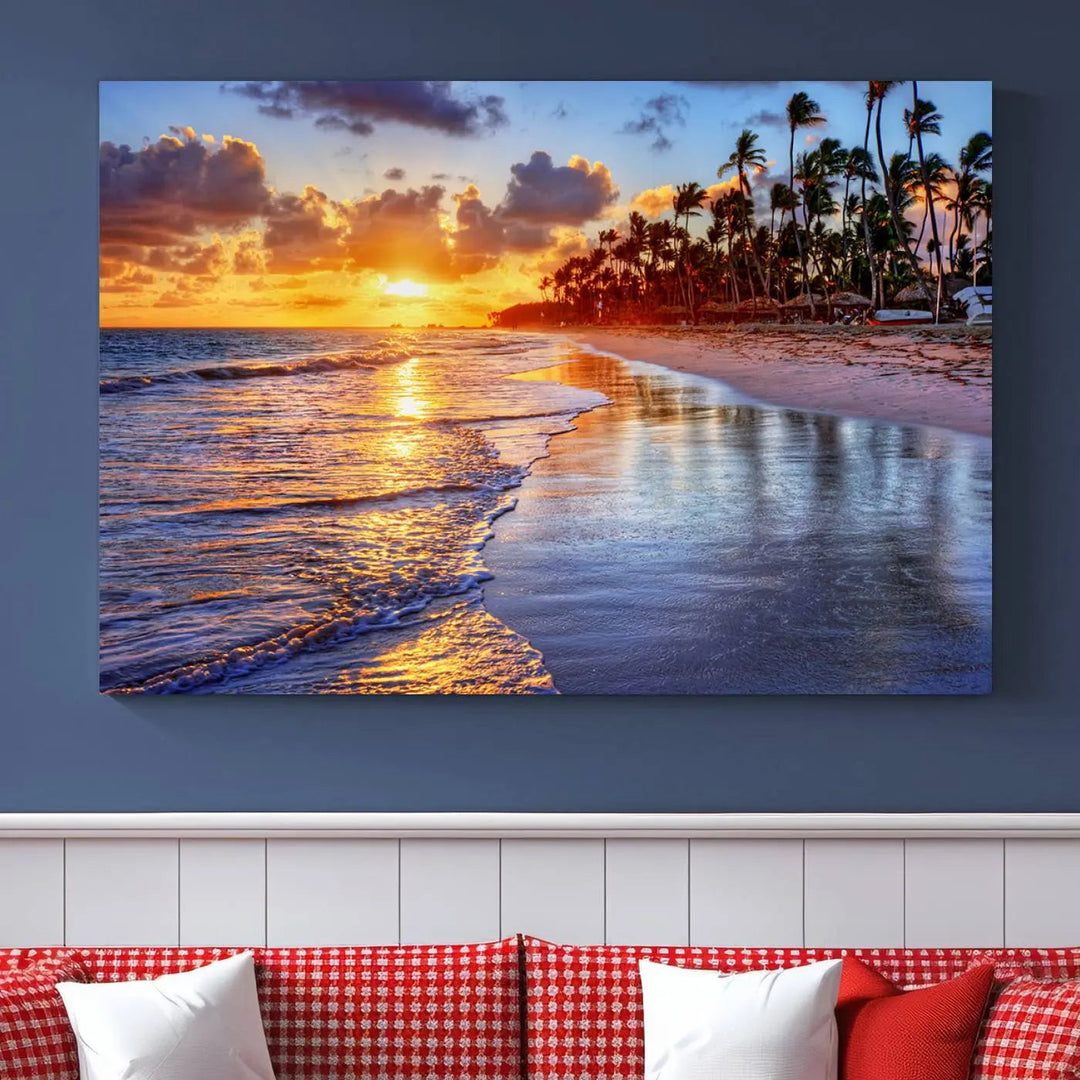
(529,1008)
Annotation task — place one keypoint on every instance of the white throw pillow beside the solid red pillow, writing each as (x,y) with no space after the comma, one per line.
(757,1025)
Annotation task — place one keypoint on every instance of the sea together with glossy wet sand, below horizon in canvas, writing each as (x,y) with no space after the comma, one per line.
(310,512)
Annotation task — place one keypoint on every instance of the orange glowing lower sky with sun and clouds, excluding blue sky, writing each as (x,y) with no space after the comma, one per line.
(193,235)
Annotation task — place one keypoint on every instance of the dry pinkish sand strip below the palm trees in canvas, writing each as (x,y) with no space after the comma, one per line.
(939,377)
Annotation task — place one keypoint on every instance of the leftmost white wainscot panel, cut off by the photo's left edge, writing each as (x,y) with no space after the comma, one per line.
(32,893)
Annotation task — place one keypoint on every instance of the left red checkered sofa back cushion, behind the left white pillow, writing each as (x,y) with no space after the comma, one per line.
(409,1012)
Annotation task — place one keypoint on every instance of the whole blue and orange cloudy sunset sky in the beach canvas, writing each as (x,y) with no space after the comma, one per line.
(307,204)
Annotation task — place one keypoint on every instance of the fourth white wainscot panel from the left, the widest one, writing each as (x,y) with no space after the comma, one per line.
(332,893)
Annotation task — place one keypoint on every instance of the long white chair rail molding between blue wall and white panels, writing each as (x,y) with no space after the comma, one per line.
(542,826)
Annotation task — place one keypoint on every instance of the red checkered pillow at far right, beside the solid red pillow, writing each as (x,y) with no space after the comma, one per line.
(1032,1032)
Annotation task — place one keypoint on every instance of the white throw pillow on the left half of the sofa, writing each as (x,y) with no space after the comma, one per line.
(196,1025)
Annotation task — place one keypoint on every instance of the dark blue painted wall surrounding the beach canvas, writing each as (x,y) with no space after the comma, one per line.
(63,748)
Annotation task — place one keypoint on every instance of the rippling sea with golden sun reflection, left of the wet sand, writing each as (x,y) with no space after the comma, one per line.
(305,511)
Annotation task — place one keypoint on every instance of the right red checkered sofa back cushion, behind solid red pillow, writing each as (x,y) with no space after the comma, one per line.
(584,1004)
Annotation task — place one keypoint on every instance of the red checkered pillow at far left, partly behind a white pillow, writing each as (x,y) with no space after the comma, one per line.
(36,1036)
